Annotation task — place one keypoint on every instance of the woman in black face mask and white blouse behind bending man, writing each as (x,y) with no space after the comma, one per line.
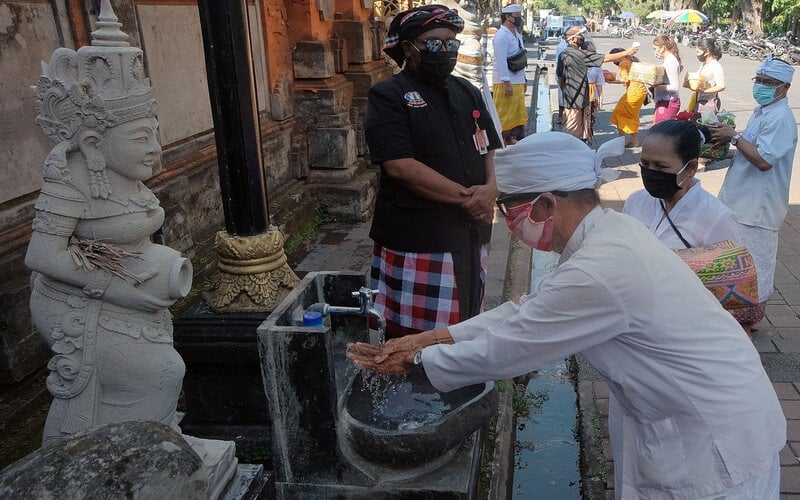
(673,204)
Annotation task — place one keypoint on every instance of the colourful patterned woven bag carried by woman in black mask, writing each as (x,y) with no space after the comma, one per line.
(729,272)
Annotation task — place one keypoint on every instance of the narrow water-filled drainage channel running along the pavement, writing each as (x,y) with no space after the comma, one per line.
(546,461)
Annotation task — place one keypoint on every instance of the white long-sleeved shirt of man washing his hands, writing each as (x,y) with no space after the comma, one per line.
(694,411)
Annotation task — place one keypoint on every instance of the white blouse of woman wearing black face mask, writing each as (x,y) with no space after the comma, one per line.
(700,217)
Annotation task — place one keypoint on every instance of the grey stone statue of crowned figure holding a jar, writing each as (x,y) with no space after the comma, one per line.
(100,287)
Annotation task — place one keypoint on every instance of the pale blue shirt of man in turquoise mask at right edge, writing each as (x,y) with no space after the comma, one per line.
(761,198)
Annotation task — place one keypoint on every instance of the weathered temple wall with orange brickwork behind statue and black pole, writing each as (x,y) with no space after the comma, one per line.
(312,141)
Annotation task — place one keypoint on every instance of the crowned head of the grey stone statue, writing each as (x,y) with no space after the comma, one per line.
(98,100)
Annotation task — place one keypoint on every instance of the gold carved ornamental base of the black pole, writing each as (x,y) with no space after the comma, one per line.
(253,273)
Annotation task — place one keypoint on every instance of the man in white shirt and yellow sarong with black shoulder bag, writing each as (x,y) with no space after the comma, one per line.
(508,89)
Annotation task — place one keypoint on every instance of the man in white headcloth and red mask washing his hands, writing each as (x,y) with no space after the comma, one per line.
(692,414)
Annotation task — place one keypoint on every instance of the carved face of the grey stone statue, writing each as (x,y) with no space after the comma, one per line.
(132,149)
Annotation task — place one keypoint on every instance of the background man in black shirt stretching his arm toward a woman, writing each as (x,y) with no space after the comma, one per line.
(573,63)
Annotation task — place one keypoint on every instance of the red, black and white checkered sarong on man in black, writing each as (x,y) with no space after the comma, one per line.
(417,290)
